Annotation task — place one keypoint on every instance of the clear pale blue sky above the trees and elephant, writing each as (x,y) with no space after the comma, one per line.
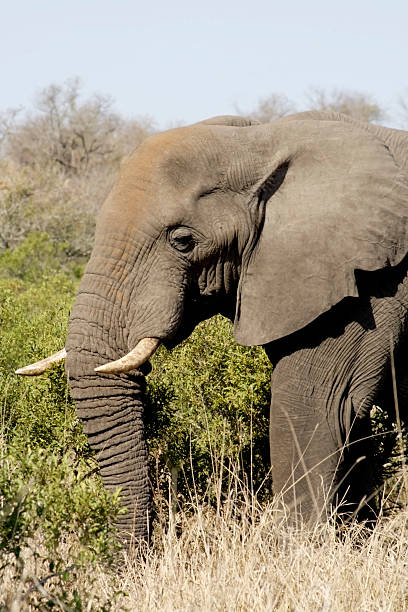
(179,60)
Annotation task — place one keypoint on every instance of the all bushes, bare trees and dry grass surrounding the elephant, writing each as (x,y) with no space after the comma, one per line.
(219,542)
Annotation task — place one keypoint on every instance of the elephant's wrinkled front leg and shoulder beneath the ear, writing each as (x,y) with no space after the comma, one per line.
(322,393)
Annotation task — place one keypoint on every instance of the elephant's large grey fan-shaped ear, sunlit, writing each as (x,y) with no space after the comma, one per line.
(342,206)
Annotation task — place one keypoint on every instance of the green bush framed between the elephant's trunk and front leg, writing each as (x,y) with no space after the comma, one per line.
(208,409)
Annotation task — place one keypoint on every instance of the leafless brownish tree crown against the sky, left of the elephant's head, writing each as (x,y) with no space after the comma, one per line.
(76,135)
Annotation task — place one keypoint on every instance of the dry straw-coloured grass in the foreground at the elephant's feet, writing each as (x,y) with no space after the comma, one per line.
(248,558)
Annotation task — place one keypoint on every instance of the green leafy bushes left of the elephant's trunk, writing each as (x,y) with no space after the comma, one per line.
(54,512)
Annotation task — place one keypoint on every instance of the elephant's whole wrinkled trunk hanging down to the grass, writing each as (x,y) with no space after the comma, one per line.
(110,406)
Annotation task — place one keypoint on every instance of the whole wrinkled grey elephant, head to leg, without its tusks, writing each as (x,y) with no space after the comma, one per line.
(297,231)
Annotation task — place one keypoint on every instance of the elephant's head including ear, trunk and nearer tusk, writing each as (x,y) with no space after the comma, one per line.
(265,224)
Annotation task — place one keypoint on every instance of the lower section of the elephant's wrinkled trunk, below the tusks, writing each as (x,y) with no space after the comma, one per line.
(111,410)
